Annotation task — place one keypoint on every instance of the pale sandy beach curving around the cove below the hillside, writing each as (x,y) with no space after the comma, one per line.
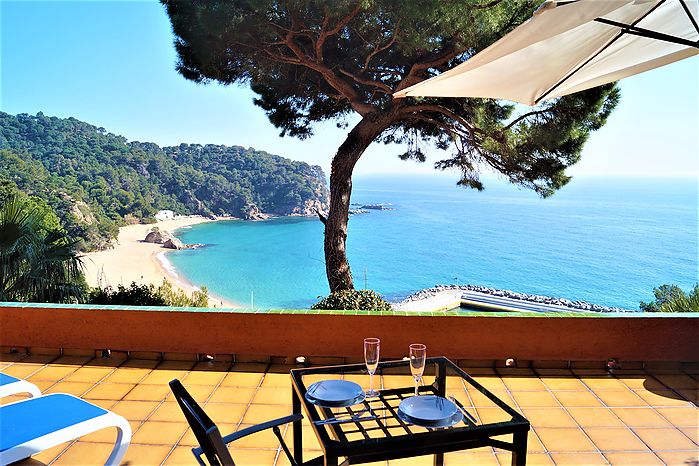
(133,260)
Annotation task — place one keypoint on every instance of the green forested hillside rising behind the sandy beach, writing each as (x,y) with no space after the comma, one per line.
(96,181)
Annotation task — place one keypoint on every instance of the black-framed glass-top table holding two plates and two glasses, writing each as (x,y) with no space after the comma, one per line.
(372,431)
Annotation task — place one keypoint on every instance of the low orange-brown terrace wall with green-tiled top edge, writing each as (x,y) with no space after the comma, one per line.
(480,336)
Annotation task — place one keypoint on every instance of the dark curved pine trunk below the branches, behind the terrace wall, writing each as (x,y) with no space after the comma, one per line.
(337,267)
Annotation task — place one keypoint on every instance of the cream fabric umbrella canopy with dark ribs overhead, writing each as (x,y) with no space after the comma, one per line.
(569,46)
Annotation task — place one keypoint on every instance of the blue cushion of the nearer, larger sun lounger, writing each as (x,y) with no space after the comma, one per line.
(40,416)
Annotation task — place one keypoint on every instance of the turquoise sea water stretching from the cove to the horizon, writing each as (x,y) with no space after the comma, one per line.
(607,241)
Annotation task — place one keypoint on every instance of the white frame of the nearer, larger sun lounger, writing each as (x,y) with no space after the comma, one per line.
(73,432)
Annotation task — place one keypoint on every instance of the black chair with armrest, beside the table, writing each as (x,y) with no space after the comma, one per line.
(212,444)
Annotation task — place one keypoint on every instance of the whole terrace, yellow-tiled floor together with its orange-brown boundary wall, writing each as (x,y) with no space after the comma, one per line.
(237,365)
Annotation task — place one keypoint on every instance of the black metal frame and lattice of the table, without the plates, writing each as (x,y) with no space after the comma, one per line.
(434,441)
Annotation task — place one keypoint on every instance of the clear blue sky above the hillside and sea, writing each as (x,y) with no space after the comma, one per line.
(112,64)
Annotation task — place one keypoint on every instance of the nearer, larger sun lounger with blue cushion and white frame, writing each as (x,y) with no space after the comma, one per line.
(30,426)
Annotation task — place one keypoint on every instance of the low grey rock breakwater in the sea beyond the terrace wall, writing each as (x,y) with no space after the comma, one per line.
(576,305)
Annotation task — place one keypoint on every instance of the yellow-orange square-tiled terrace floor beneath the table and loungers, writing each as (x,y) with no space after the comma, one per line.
(582,416)
